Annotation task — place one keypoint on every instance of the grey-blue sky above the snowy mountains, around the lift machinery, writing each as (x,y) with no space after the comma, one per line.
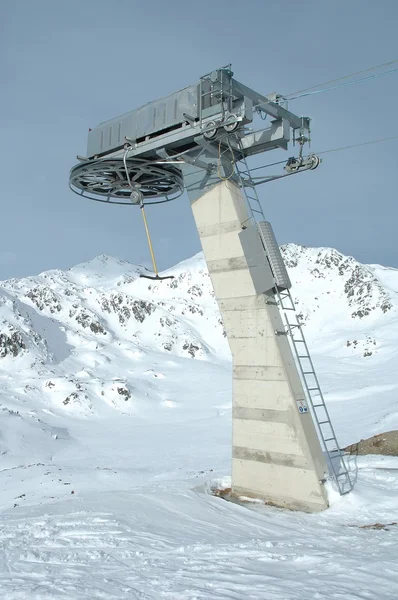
(65,66)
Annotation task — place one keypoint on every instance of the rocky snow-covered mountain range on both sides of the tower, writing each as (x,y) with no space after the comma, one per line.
(61,323)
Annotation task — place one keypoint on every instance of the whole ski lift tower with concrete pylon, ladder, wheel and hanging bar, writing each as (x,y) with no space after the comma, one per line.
(284,446)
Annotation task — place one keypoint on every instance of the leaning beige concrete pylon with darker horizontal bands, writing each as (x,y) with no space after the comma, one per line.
(276,453)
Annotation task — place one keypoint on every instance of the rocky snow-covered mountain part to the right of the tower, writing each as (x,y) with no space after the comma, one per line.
(353,303)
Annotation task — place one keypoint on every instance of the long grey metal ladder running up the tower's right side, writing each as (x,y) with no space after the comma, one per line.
(294,330)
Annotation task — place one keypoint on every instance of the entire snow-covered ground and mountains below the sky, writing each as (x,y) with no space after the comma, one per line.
(115,397)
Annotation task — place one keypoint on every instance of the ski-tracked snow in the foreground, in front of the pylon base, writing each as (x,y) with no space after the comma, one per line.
(148,547)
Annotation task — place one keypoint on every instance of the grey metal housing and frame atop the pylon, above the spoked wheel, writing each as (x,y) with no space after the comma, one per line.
(180,121)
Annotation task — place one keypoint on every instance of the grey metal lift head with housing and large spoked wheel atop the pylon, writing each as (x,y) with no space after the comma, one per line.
(148,146)
